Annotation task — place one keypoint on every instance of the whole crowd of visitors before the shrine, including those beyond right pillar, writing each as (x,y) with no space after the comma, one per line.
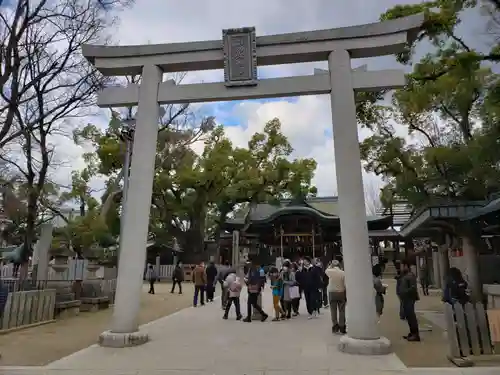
(307,280)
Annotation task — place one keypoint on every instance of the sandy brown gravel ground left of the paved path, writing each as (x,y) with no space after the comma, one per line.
(41,345)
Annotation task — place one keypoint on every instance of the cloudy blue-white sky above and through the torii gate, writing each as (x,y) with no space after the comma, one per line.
(305,120)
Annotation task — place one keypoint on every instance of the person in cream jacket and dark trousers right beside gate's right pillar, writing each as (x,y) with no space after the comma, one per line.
(337,297)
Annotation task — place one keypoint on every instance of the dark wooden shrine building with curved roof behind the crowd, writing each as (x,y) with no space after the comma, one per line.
(295,228)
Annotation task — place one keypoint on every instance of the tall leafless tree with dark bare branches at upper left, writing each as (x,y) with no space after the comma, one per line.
(45,82)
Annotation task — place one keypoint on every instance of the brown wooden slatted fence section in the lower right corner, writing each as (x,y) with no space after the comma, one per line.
(468,332)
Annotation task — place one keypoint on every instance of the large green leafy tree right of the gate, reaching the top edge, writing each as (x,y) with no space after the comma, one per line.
(438,138)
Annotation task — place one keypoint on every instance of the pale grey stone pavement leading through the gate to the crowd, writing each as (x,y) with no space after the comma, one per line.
(196,341)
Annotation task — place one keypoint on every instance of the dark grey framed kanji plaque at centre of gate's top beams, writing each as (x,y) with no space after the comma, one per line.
(240,57)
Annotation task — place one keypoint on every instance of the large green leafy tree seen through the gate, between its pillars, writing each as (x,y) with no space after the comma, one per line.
(191,189)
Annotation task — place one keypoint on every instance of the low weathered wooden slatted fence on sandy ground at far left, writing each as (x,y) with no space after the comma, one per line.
(28,308)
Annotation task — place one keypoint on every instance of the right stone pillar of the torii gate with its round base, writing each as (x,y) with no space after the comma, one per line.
(362,334)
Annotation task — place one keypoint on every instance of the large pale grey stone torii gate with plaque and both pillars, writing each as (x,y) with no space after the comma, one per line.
(239,53)
